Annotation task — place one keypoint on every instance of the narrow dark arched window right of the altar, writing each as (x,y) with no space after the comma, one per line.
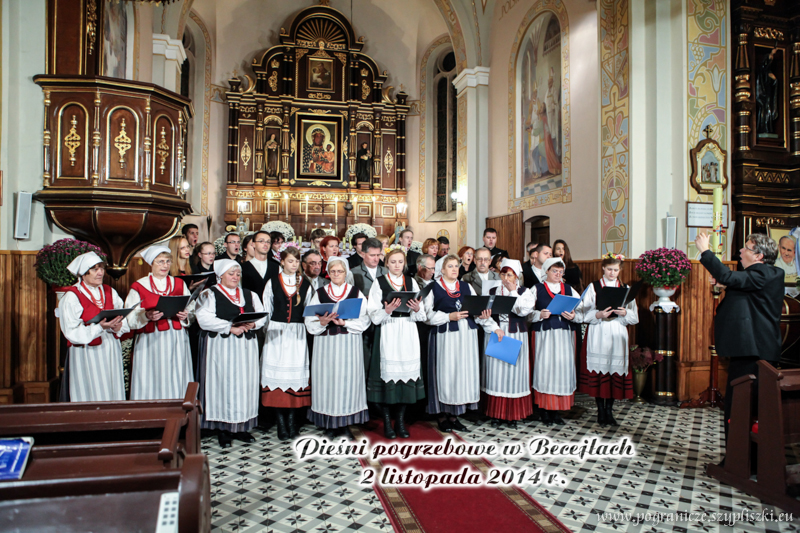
(445,128)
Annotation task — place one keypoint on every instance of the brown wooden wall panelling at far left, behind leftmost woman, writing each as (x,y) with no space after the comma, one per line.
(28,365)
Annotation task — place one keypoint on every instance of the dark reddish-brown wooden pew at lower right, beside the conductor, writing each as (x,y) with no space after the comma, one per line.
(776,481)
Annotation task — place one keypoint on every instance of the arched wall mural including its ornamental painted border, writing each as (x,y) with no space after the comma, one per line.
(539,131)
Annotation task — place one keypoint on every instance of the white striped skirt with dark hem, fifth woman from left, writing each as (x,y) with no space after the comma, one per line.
(339,394)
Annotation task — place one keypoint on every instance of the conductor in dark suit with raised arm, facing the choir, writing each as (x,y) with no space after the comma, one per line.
(747,325)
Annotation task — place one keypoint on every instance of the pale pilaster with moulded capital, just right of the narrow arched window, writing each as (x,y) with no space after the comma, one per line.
(472,89)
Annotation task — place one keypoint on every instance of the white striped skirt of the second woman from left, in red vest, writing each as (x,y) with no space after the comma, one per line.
(162,365)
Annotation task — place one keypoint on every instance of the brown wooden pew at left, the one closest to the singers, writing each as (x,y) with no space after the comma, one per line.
(84,423)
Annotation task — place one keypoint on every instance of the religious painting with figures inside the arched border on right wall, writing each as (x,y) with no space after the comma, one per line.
(540,142)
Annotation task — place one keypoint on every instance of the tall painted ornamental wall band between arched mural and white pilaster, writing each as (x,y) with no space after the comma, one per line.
(614,124)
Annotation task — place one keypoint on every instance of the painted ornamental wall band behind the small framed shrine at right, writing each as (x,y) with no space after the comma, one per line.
(707,90)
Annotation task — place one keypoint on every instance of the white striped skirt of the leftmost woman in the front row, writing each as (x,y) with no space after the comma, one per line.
(95,372)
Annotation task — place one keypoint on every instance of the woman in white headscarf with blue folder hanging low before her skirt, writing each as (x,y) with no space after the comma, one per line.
(506,387)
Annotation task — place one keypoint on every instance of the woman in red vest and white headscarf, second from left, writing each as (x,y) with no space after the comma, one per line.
(162,356)
